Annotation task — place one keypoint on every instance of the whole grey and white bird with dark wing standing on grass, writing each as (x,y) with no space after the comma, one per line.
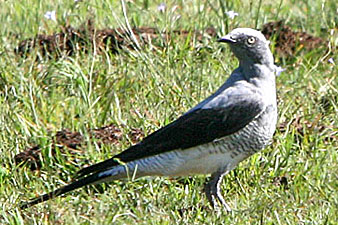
(236,121)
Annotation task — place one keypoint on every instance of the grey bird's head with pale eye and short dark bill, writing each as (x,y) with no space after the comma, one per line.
(249,46)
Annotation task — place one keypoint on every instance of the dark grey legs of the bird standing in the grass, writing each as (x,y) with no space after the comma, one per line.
(213,190)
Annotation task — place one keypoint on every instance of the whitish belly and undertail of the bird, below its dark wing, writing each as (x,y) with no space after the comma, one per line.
(204,159)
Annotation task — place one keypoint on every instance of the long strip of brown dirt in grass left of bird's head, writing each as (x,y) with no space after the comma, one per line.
(88,38)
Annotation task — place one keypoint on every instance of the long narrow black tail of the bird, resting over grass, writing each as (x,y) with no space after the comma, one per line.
(94,178)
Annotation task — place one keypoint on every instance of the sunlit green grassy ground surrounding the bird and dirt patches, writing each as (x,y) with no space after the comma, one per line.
(294,181)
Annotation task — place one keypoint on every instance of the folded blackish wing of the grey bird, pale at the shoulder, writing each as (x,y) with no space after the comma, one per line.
(203,125)
